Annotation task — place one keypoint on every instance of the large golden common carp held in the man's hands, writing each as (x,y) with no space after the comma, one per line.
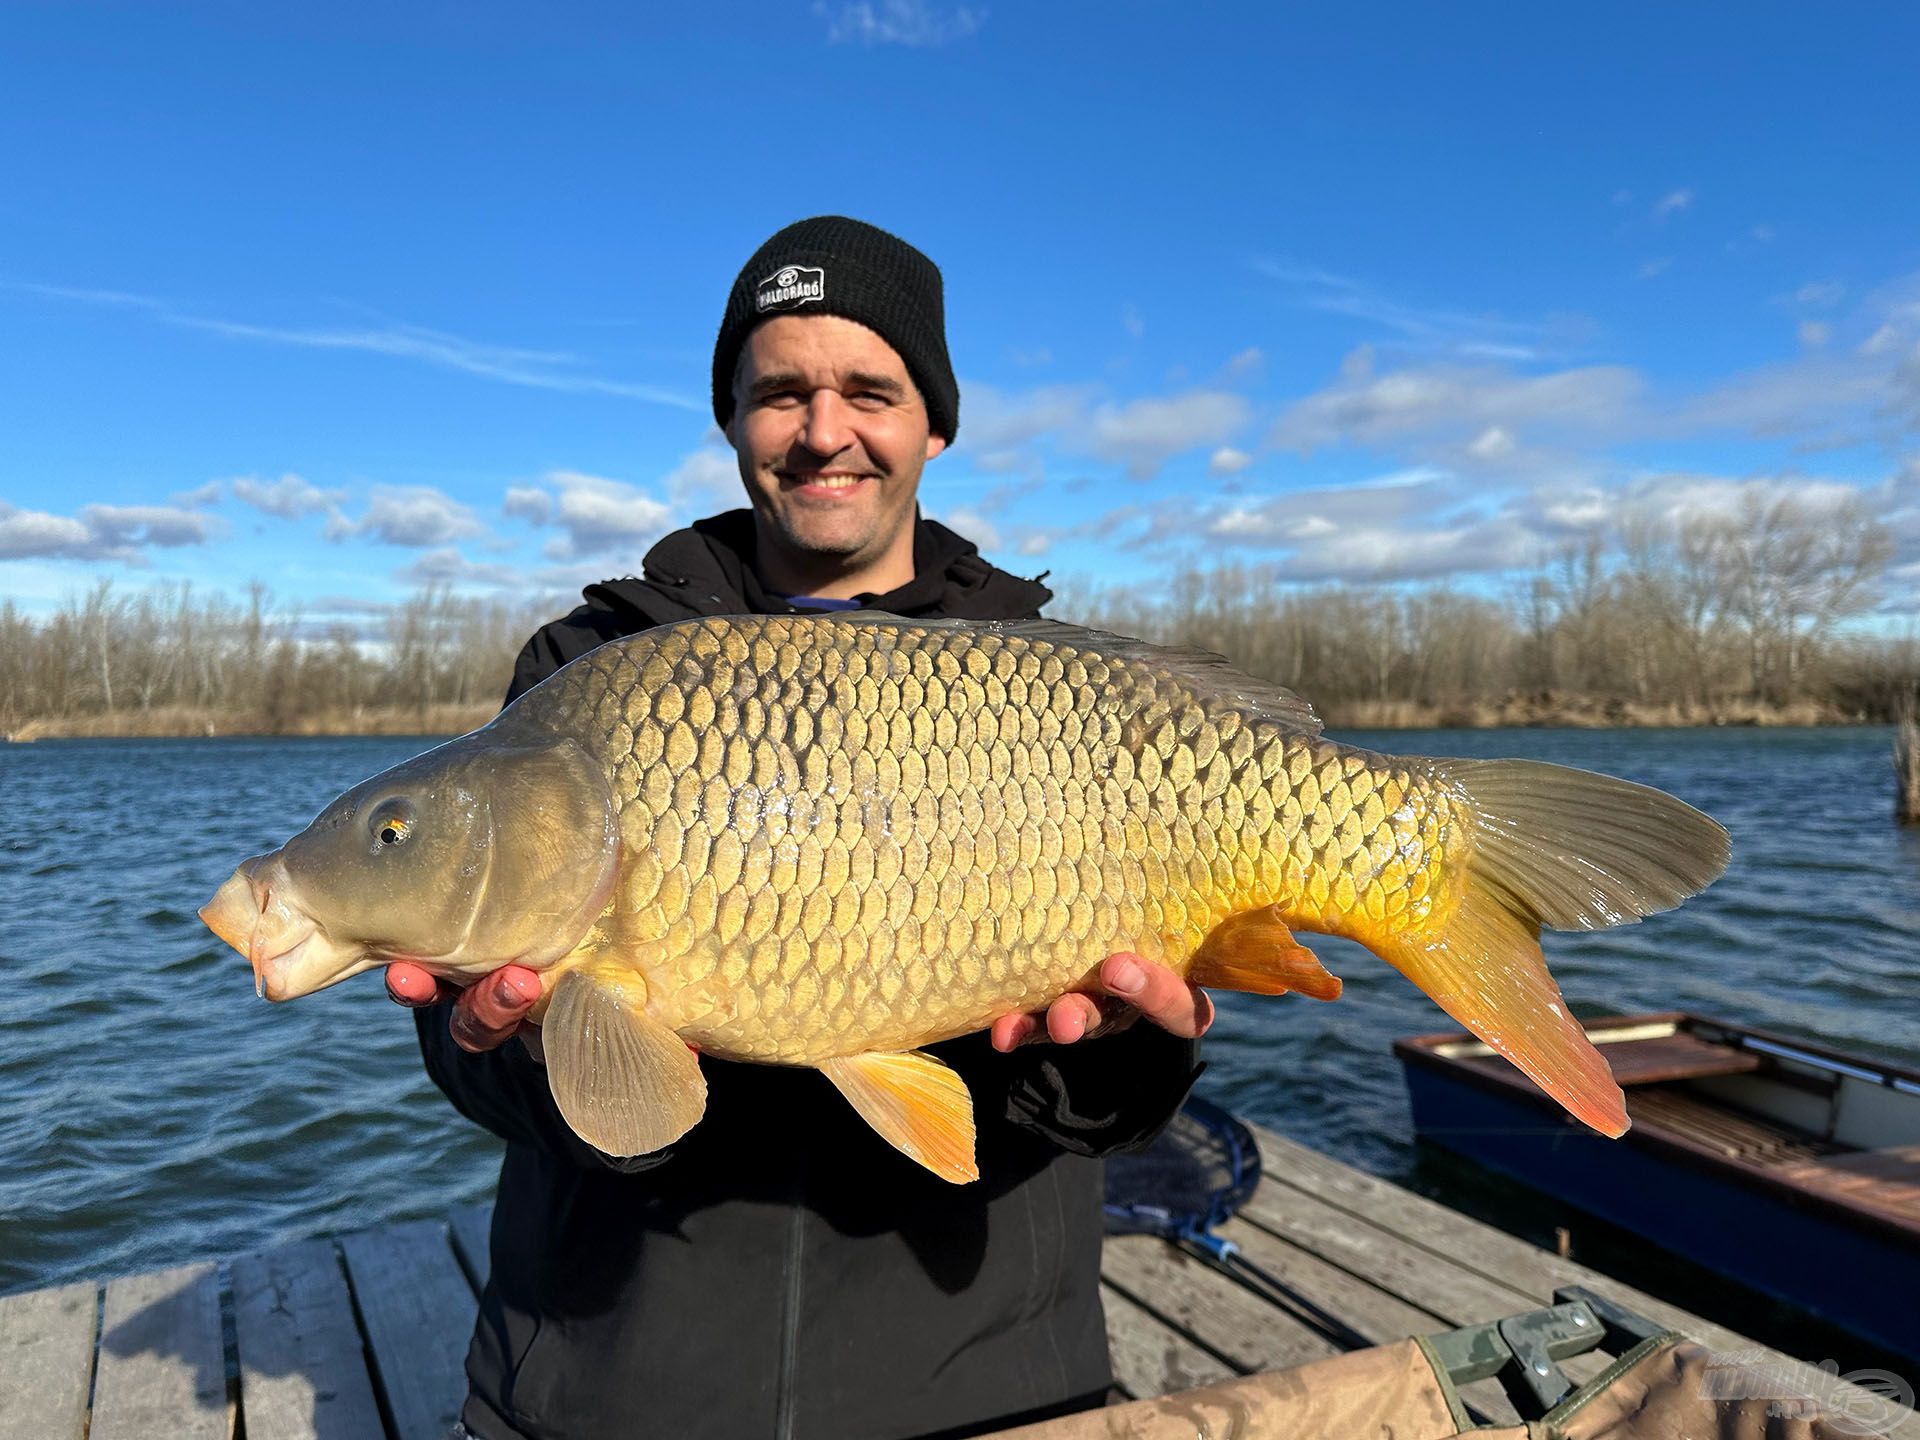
(832,840)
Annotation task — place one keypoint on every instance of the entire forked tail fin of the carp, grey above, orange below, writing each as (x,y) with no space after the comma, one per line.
(1552,848)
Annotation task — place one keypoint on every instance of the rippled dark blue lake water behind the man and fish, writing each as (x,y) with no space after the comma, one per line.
(153,1111)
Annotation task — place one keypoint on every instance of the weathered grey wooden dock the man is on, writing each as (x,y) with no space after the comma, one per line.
(366,1337)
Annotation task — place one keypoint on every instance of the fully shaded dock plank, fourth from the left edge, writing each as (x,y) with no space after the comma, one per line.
(420,1314)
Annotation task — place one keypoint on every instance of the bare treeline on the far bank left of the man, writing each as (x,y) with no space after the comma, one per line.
(174,661)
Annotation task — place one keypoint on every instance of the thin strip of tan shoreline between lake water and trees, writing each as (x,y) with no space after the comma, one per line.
(1512,713)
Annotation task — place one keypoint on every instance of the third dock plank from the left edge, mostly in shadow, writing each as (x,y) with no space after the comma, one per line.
(302,1364)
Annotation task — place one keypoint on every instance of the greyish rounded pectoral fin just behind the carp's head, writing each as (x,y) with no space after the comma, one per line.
(621,1078)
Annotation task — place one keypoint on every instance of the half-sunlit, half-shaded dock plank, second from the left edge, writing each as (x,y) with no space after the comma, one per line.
(162,1358)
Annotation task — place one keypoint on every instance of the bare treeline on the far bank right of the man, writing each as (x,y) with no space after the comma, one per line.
(1712,619)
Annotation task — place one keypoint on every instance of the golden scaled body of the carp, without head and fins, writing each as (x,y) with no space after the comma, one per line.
(884,848)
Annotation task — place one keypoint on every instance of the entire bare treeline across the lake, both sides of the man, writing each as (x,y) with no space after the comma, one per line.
(1729,619)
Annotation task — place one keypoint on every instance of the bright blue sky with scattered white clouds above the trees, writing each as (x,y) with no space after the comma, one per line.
(358,297)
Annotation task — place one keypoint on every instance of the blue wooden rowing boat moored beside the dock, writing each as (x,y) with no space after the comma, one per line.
(1783,1164)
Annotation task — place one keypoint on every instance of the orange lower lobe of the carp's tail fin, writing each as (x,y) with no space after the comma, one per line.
(1485,969)
